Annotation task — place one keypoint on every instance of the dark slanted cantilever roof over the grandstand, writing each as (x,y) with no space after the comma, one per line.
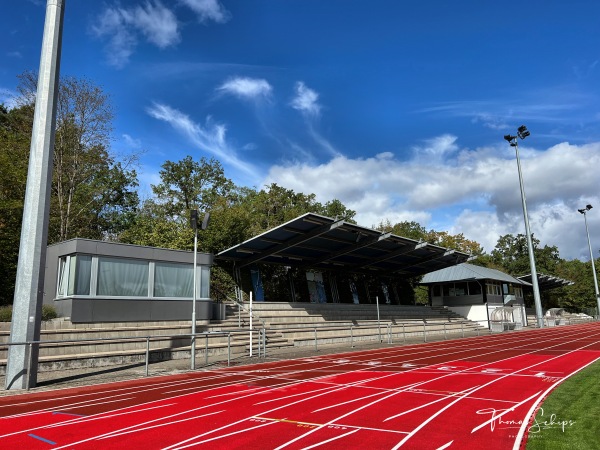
(321,243)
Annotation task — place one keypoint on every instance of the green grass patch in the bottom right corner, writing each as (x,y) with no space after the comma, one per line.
(570,417)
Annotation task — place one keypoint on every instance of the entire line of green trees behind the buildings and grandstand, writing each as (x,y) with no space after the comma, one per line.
(95,196)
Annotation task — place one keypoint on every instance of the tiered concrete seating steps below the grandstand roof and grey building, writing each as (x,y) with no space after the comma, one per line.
(285,324)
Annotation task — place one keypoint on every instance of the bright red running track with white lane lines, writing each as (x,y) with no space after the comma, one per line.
(465,393)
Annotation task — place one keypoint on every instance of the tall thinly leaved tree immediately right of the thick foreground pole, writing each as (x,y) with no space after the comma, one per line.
(93,194)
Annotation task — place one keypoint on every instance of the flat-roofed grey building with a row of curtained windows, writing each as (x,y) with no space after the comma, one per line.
(95,281)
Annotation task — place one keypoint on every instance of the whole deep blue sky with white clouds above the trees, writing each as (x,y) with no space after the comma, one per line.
(396,108)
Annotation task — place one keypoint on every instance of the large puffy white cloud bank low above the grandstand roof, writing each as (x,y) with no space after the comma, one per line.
(474,192)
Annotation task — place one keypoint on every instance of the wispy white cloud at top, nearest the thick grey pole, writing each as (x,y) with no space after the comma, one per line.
(122,26)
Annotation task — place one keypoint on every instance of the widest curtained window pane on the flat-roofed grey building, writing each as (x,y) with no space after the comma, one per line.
(122,277)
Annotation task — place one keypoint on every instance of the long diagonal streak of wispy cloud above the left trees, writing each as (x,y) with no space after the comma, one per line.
(209,137)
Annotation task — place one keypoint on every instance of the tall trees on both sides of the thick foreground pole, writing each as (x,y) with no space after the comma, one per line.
(93,194)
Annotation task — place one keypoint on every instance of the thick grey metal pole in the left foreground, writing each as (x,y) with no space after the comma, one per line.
(29,283)
